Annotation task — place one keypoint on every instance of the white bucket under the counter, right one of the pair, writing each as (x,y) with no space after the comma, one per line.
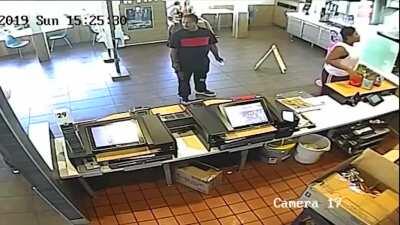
(307,154)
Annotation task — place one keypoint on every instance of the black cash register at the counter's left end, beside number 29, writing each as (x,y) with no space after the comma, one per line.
(117,141)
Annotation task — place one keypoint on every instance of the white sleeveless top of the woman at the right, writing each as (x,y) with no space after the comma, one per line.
(350,61)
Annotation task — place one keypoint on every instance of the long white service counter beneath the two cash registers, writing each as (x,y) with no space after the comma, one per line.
(330,114)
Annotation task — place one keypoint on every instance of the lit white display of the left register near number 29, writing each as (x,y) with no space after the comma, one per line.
(117,133)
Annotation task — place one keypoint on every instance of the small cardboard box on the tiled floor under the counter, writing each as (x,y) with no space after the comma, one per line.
(199,176)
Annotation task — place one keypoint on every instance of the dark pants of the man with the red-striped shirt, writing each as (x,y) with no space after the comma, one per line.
(184,89)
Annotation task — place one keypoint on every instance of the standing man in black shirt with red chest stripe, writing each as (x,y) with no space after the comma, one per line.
(189,53)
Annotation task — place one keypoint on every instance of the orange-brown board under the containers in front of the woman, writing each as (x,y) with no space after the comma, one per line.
(347,90)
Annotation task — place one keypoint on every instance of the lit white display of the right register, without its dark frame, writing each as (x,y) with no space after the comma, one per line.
(246,114)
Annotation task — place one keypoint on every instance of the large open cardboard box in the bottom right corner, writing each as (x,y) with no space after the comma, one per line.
(357,208)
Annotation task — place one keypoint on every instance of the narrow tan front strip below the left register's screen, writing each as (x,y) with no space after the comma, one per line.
(126,153)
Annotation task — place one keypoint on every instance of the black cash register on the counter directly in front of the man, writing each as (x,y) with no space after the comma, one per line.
(235,122)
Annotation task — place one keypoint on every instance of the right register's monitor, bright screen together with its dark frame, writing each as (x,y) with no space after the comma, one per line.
(244,114)
